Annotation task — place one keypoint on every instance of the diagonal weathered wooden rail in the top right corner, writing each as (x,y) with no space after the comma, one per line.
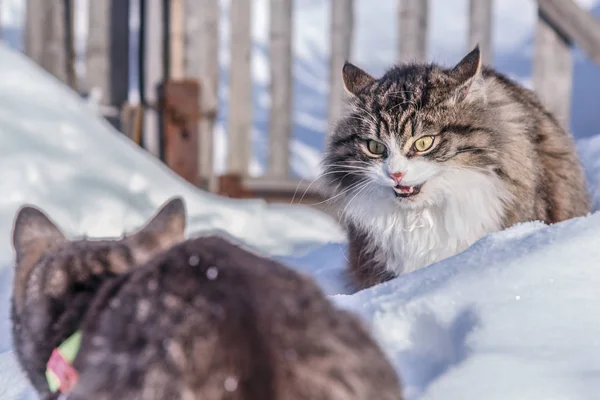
(575,23)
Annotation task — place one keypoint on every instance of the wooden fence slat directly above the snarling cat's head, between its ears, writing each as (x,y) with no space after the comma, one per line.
(413,27)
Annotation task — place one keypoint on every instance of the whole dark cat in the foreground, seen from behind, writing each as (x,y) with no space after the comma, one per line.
(203,320)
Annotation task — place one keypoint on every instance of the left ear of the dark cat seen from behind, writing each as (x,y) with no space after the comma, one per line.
(33,234)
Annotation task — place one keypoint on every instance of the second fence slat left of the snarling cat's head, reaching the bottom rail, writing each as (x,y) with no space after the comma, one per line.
(280,56)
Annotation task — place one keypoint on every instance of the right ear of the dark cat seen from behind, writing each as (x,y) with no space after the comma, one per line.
(166,228)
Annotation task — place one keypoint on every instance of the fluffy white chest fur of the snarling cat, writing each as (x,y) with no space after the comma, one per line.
(464,207)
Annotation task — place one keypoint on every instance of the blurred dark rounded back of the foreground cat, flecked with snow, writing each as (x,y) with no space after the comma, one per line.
(210,318)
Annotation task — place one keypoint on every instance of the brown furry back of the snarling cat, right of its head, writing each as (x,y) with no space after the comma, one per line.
(556,176)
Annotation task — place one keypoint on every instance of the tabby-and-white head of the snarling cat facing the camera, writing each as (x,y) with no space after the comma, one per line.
(412,137)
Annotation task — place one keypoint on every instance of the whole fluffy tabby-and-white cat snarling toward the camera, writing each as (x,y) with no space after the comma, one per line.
(430,159)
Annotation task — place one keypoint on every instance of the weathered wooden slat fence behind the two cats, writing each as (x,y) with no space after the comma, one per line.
(184,43)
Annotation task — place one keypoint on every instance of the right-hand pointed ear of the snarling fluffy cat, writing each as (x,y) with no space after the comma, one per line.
(467,73)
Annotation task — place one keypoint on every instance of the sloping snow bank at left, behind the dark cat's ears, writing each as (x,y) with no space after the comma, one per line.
(55,153)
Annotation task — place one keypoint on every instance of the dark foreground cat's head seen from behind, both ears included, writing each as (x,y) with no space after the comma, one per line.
(56,278)
